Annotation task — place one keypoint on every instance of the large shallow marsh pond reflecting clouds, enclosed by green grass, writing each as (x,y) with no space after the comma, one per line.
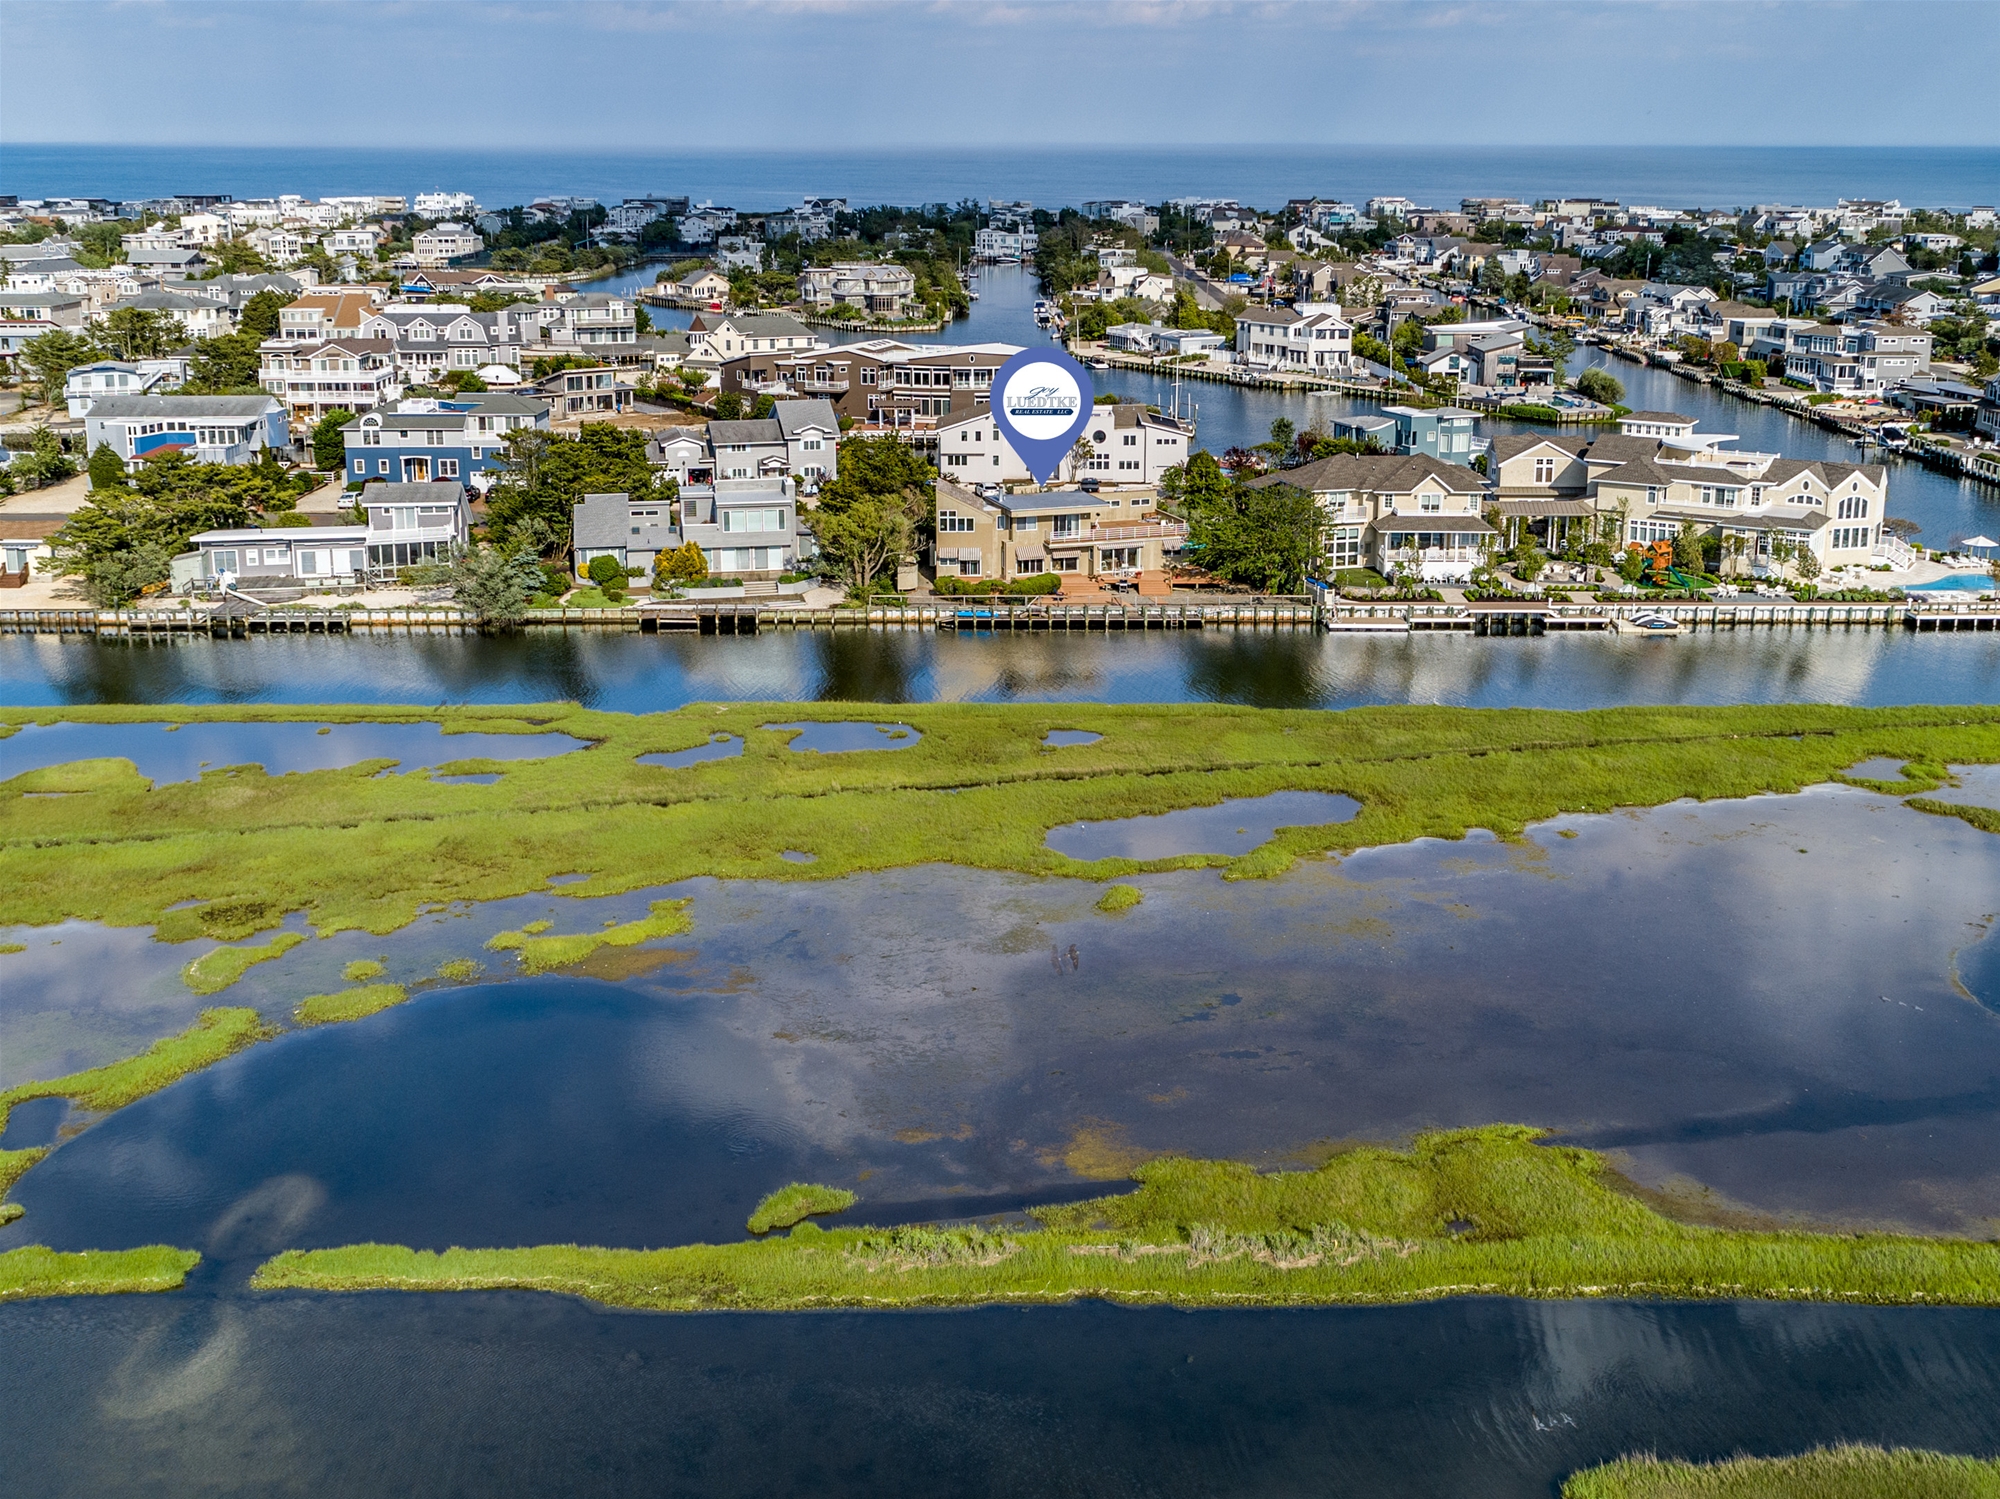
(1653,982)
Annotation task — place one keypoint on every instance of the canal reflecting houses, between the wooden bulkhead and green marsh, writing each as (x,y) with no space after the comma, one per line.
(1265,671)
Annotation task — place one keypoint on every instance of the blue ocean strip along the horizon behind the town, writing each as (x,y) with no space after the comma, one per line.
(1681,177)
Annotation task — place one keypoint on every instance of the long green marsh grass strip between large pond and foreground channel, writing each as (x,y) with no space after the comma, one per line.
(1469,1212)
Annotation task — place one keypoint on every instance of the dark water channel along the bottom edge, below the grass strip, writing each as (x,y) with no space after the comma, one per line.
(511,1394)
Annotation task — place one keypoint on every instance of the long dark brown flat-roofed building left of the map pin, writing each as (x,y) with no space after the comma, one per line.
(881,381)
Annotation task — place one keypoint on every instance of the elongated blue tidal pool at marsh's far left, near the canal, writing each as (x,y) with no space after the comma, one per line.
(181,754)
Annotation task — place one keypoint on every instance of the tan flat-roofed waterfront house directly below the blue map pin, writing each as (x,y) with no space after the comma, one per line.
(1067,533)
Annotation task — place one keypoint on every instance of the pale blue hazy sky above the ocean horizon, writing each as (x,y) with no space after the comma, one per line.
(635,75)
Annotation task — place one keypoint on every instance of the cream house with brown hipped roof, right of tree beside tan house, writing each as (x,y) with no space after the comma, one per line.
(1397,513)
